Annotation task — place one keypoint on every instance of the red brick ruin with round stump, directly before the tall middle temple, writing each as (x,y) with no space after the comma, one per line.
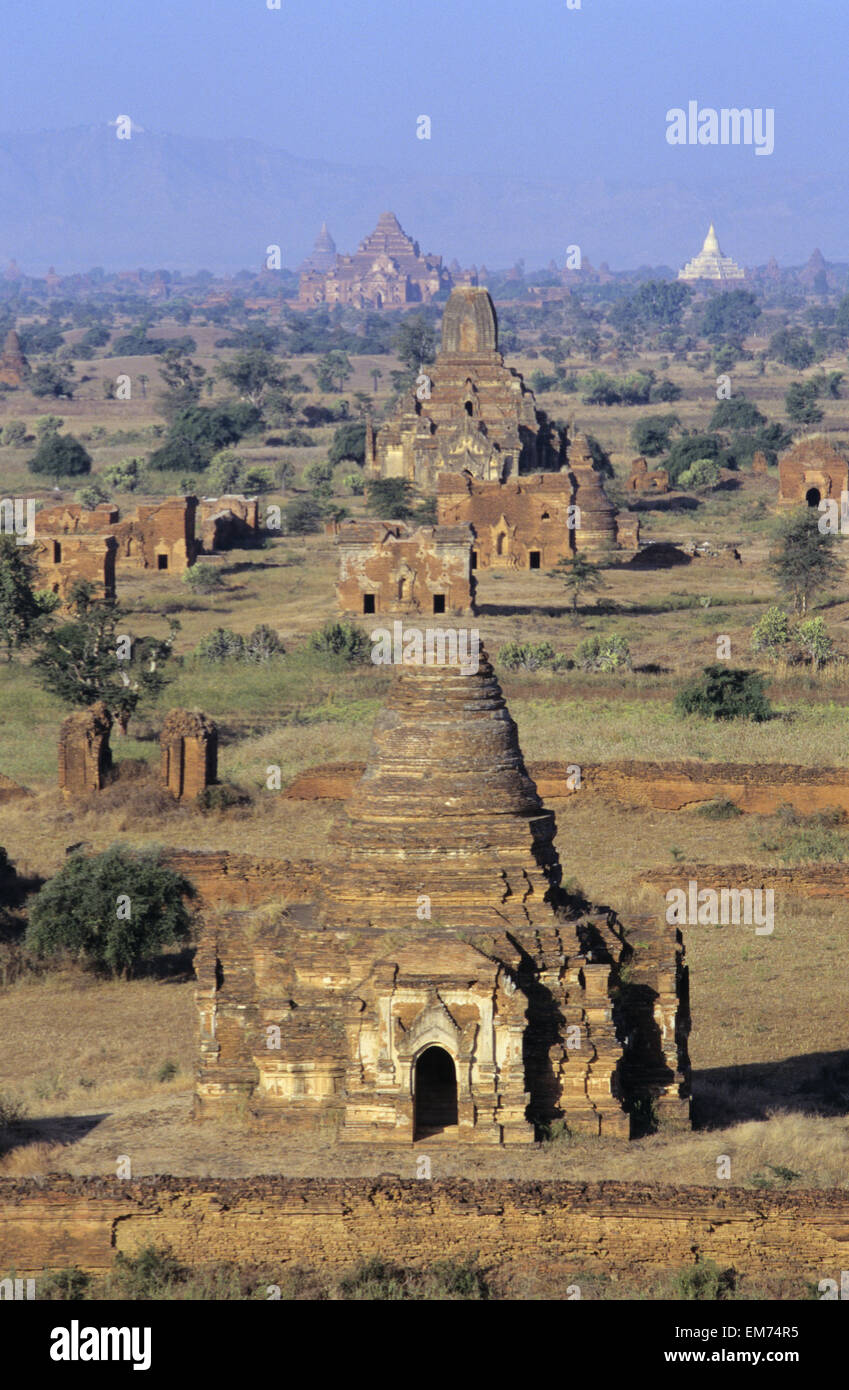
(529,523)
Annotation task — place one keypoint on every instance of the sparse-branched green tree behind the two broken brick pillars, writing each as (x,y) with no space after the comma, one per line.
(83,660)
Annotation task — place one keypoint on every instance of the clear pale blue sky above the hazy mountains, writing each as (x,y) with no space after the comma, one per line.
(534,91)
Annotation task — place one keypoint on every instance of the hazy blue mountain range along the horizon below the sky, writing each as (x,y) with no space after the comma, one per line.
(83,198)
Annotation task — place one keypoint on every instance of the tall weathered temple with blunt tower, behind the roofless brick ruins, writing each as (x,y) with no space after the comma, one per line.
(470,412)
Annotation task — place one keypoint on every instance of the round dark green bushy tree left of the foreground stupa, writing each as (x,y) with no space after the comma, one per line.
(110,911)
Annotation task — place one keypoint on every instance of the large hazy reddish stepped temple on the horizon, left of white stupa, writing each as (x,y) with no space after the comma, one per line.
(388,270)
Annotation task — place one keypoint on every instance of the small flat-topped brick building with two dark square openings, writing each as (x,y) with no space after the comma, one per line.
(401,569)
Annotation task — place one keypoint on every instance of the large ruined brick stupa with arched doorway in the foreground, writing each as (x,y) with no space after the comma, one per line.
(443,983)
